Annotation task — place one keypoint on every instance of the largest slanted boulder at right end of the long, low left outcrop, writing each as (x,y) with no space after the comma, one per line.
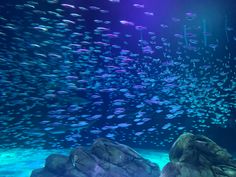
(122,156)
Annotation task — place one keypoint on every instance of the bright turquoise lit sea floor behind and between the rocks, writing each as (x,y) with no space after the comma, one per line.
(20,162)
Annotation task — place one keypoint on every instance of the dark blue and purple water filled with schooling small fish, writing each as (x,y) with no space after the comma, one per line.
(139,72)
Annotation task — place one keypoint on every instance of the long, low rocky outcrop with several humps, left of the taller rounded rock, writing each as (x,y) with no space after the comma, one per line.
(104,159)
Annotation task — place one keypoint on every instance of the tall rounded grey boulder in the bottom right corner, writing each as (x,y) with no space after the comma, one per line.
(198,156)
